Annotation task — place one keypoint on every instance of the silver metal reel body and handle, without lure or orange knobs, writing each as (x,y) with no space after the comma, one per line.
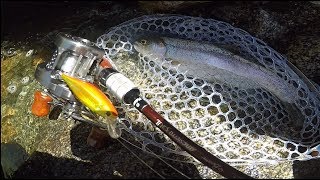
(78,58)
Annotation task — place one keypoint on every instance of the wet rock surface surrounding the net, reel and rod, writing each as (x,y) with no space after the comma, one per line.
(59,148)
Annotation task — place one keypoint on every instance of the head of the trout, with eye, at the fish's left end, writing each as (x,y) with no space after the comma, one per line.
(154,46)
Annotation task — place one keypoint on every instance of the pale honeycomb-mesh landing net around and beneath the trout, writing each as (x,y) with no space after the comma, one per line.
(237,125)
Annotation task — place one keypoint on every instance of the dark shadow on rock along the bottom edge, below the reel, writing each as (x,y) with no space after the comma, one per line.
(109,161)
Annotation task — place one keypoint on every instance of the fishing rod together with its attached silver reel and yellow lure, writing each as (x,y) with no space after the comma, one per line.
(72,78)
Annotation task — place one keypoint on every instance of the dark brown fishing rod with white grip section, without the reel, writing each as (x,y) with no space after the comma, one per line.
(124,89)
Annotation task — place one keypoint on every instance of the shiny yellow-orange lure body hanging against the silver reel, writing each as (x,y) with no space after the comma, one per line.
(91,96)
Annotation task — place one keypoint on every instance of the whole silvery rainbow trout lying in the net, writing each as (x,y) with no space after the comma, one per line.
(207,61)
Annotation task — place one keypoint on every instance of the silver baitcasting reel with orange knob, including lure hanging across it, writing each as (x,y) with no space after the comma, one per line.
(78,60)
